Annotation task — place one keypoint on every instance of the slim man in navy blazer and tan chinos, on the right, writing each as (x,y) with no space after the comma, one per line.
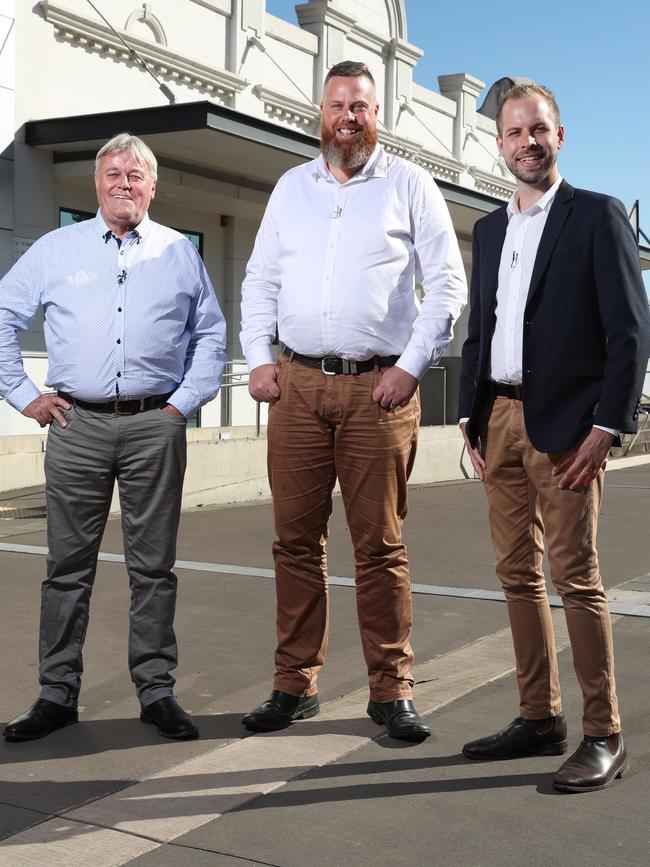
(552,373)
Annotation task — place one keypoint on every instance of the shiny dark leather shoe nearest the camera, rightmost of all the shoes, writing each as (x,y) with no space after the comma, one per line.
(595,765)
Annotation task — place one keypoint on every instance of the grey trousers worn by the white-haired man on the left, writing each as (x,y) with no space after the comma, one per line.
(146,454)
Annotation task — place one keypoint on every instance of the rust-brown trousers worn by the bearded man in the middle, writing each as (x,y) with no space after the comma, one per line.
(322,427)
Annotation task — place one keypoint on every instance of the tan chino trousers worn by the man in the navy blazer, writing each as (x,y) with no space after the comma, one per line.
(525,505)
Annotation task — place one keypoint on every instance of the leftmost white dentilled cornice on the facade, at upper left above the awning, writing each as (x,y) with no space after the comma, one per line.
(79,30)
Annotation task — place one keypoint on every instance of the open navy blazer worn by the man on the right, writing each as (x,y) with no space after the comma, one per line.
(586,322)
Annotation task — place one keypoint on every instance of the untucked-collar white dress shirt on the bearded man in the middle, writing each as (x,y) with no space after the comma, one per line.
(335,265)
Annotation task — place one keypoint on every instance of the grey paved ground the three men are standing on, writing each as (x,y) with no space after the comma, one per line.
(331,790)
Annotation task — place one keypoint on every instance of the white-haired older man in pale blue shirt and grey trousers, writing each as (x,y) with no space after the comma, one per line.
(135,343)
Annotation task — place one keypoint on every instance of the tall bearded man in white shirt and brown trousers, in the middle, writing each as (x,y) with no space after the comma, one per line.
(342,242)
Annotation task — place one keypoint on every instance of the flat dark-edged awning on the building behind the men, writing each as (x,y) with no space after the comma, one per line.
(202,148)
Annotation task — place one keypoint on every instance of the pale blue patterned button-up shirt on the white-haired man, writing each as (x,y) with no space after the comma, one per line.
(131,320)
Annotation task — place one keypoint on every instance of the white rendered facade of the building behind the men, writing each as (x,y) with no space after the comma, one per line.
(44,72)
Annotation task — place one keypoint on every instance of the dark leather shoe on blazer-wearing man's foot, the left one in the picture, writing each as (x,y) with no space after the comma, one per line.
(523,737)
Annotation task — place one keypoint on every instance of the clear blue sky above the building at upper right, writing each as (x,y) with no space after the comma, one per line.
(594,55)
